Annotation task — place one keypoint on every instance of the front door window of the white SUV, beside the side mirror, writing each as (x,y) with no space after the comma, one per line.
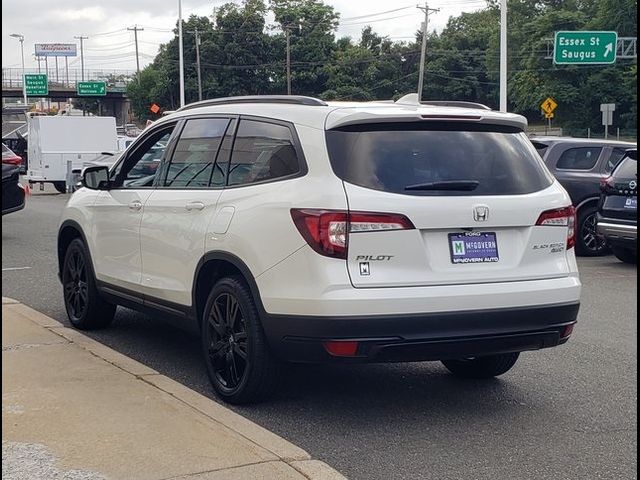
(139,169)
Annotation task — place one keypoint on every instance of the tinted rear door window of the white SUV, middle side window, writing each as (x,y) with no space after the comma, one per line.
(194,159)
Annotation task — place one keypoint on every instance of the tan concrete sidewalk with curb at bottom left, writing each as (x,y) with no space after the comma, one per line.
(75,409)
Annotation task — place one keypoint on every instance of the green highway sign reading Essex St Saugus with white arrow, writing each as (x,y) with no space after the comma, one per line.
(585,48)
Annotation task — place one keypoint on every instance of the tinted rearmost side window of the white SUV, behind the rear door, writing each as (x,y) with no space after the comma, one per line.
(262,151)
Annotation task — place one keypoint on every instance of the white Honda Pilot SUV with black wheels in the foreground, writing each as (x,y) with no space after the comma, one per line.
(284,228)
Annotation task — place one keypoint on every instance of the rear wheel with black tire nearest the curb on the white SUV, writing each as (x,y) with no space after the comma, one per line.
(239,363)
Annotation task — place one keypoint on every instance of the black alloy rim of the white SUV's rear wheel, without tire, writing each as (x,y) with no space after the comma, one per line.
(227,341)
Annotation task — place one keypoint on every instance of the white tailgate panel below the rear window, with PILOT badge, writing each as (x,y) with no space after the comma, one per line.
(449,247)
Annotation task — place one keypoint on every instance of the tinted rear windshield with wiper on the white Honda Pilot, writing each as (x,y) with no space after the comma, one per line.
(437,159)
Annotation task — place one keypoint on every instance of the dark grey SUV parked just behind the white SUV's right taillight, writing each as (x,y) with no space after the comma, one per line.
(580,164)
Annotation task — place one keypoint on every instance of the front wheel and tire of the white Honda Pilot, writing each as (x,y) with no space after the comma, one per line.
(85,307)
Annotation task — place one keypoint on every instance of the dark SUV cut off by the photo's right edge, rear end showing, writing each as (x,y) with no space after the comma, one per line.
(618,209)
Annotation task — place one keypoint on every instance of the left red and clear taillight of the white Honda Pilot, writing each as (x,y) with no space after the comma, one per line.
(327,231)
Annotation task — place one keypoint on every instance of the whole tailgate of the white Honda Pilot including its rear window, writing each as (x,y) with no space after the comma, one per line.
(474,194)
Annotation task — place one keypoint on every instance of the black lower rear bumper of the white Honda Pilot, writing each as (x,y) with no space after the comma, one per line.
(417,337)
